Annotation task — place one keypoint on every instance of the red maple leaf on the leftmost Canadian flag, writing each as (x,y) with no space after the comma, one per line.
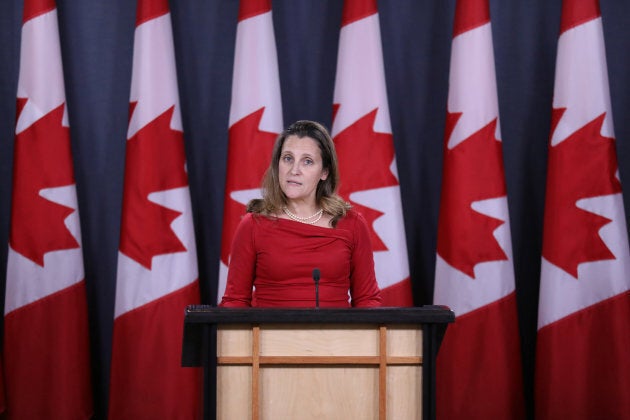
(42,160)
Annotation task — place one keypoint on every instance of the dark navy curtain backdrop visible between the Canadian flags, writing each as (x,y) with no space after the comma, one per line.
(97,42)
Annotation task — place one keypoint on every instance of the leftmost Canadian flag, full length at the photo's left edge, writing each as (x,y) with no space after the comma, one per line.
(46,346)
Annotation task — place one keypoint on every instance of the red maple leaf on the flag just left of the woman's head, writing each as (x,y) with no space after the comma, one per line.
(249,152)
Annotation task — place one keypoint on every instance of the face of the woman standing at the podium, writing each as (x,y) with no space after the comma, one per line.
(300,169)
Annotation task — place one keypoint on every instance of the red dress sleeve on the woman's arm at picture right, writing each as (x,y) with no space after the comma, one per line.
(364,291)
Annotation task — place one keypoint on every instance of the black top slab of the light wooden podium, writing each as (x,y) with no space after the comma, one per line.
(206,314)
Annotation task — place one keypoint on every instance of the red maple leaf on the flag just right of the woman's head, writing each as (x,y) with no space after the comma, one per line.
(364,160)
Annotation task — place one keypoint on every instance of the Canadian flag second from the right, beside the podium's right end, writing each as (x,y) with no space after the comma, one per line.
(479,365)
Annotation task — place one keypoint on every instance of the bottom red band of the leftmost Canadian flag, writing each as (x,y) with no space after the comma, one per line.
(47,374)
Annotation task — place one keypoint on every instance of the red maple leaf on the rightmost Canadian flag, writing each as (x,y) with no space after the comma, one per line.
(582,166)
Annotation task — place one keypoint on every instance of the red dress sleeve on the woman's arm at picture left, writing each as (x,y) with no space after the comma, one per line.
(241,271)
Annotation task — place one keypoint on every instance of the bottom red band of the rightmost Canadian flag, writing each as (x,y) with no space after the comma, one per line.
(602,389)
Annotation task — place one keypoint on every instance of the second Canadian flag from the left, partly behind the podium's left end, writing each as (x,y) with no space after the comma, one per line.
(157,260)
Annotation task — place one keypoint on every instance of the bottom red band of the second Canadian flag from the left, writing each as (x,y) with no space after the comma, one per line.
(172,391)
